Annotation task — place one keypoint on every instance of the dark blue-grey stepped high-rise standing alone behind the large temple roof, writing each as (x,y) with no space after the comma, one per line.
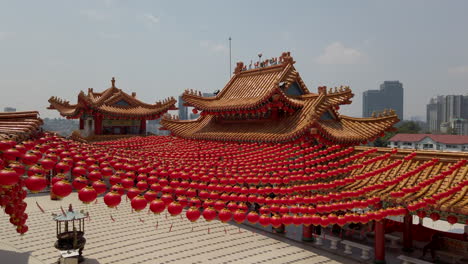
(390,96)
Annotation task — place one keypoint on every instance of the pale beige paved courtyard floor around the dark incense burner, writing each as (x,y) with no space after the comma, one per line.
(145,238)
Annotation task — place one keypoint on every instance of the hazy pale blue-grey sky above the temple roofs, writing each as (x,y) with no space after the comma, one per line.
(158,49)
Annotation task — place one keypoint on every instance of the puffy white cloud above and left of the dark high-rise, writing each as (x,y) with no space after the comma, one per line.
(337,53)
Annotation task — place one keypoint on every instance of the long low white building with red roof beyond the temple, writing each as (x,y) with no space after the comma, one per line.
(429,142)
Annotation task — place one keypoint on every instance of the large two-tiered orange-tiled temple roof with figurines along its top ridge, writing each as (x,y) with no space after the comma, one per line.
(271,103)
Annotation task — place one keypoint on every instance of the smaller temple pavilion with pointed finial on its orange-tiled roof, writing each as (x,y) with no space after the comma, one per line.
(110,114)
